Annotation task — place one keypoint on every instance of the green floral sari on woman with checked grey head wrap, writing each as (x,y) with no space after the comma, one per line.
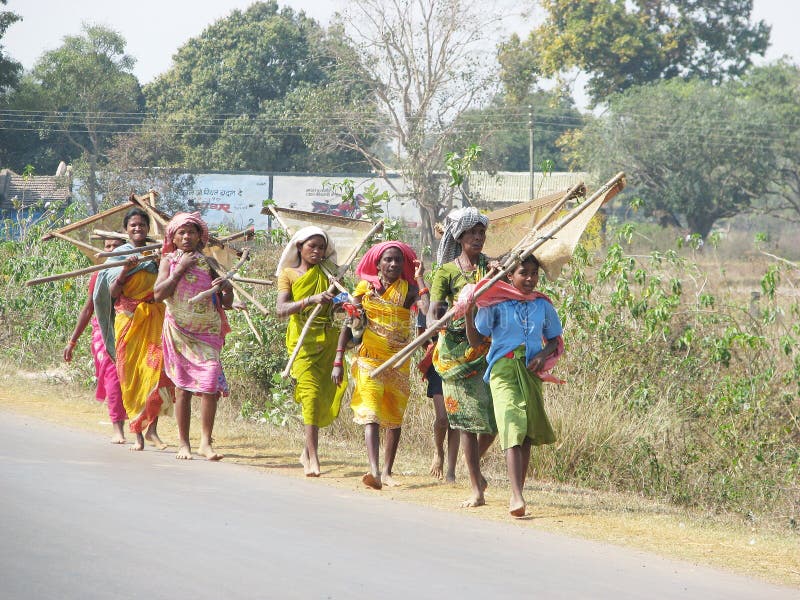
(467,397)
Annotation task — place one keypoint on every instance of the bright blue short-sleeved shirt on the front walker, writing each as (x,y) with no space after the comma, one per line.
(513,323)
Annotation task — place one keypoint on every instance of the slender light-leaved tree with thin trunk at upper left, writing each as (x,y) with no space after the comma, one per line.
(90,95)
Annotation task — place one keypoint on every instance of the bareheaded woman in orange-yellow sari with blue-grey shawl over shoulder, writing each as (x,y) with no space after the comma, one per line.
(137,322)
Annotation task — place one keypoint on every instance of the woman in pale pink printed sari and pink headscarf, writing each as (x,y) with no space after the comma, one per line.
(194,333)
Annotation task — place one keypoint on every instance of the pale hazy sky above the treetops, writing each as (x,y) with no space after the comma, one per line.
(155,29)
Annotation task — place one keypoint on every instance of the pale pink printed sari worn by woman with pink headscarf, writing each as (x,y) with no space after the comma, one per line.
(194,334)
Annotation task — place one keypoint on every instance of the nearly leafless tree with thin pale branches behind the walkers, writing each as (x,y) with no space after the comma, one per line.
(425,63)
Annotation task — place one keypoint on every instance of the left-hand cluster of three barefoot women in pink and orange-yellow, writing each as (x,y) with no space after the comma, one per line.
(153,348)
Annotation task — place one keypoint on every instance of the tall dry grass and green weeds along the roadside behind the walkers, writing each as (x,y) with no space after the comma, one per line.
(682,384)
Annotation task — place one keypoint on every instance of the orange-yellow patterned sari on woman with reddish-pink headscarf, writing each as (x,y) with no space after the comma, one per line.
(382,399)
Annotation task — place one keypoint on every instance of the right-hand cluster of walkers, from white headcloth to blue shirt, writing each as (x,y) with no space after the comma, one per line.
(391,283)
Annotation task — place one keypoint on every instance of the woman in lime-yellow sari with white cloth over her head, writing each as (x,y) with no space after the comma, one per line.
(301,285)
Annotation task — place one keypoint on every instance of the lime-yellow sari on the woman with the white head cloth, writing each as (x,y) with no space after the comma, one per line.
(318,395)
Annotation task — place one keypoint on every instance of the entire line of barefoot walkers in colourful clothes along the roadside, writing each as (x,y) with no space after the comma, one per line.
(157,344)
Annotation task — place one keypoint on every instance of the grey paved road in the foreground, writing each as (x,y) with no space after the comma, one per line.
(80,518)
